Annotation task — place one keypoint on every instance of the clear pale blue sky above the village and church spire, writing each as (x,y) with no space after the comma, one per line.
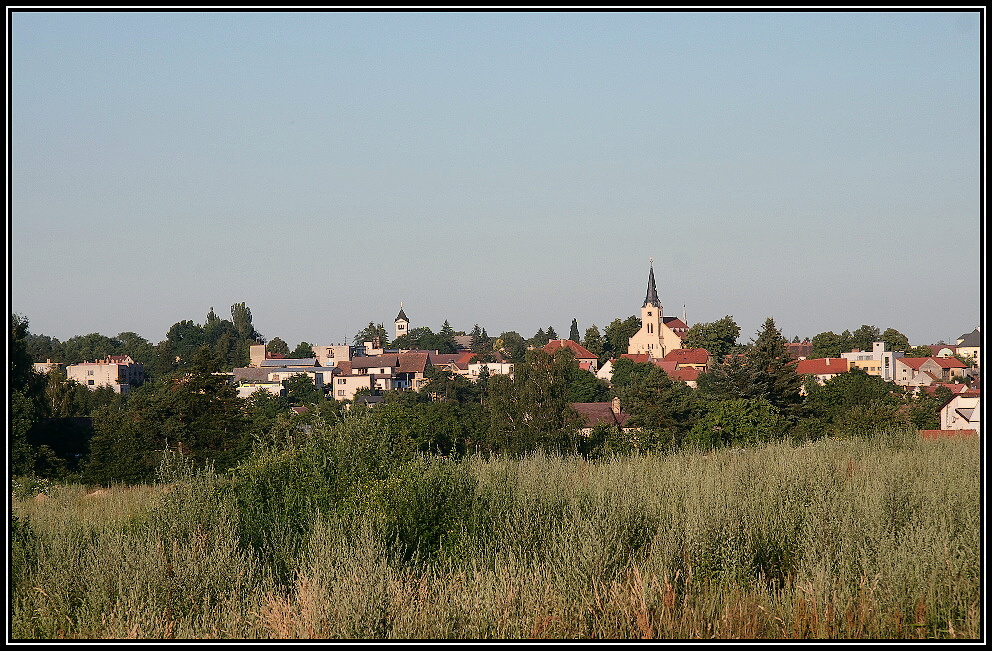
(512,170)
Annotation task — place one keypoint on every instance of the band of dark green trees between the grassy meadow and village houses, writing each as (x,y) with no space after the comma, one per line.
(753,396)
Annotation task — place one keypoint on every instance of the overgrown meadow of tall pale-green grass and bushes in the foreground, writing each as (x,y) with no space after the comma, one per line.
(341,534)
